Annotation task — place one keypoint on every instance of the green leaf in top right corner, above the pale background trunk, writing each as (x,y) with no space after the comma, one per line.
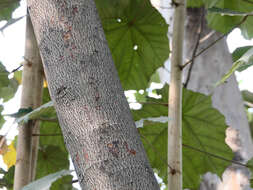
(224,23)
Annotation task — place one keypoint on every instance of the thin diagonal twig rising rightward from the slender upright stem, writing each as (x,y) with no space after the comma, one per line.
(214,42)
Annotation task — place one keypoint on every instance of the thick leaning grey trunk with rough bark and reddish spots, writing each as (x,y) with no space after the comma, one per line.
(93,112)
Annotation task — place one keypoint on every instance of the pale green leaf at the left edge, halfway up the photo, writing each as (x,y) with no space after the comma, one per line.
(8,87)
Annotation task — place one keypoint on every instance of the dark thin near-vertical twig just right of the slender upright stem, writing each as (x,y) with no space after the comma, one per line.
(200,28)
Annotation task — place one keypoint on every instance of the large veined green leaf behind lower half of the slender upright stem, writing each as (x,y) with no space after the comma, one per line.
(203,128)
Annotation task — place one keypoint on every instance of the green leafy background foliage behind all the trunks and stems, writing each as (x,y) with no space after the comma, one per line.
(137,36)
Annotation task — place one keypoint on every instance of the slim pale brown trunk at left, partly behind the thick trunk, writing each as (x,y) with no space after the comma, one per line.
(32,84)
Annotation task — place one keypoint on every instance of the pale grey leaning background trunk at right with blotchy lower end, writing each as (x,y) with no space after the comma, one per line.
(206,71)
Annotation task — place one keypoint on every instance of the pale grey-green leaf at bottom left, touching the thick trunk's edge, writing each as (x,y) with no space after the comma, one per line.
(46,182)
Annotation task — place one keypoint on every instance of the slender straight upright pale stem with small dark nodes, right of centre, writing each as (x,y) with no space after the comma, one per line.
(175,100)
